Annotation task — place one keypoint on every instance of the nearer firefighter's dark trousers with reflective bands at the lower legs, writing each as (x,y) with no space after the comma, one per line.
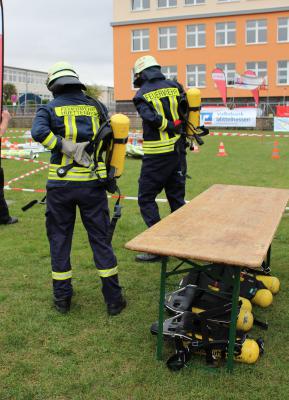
(60,219)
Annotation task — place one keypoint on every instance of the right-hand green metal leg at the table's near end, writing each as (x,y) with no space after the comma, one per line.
(234,315)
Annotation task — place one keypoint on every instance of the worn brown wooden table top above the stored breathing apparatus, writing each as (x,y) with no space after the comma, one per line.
(228,224)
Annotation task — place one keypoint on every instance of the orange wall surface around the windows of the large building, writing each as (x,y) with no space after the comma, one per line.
(239,54)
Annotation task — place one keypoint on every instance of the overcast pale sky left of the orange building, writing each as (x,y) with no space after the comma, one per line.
(39,33)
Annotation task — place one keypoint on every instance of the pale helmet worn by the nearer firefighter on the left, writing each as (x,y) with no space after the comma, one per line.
(61,74)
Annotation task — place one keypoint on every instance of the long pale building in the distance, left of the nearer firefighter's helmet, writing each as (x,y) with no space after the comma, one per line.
(27,81)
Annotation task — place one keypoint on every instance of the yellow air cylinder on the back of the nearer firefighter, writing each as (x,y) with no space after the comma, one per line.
(120,128)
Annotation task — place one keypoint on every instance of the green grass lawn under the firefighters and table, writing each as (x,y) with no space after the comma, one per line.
(86,354)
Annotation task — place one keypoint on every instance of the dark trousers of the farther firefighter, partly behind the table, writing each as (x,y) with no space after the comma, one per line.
(158,172)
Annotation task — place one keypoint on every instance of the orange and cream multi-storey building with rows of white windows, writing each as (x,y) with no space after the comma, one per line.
(190,38)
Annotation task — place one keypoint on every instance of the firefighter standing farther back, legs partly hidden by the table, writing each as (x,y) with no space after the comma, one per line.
(164,161)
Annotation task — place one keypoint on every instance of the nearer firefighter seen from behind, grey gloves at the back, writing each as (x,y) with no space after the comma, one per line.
(65,126)
